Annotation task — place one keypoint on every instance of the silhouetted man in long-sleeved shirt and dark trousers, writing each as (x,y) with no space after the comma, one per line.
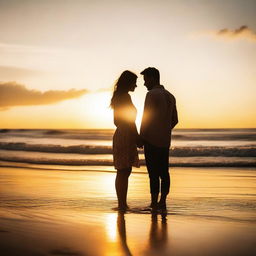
(159,118)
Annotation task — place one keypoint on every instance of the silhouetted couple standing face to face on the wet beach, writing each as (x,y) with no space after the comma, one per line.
(159,118)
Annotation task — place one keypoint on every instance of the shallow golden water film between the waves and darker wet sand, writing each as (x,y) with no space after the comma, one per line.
(212,192)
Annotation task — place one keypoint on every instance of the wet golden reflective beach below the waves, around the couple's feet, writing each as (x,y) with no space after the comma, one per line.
(211,211)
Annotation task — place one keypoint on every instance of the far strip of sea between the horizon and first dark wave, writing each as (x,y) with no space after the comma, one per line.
(107,134)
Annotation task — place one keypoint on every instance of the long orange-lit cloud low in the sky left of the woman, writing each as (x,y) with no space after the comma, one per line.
(13,94)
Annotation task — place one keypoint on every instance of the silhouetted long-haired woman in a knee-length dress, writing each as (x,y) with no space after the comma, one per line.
(126,138)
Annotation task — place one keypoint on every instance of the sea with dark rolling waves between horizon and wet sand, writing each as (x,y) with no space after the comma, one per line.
(77,149)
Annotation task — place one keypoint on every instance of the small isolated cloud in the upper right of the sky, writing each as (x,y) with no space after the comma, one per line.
(242,32)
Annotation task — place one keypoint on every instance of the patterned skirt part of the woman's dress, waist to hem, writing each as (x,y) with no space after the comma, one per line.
(125,153)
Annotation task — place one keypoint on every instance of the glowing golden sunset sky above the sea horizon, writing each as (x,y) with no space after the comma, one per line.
(59,60)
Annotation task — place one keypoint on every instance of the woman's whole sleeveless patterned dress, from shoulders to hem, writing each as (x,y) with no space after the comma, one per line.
(125,153)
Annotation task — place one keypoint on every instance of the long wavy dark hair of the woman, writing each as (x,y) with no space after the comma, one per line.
(122,85)
